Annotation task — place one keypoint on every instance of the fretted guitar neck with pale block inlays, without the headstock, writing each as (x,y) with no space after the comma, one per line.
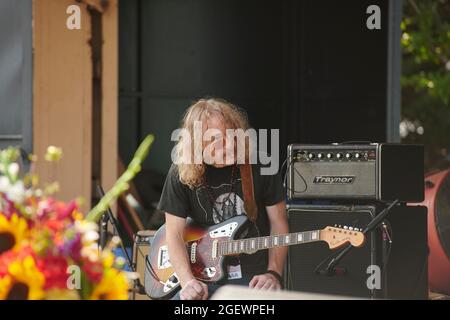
(250,245)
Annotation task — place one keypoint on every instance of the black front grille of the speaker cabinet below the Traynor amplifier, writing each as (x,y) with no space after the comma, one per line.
(303,259)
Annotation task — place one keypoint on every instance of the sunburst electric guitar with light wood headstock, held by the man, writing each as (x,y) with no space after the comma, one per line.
(208,247)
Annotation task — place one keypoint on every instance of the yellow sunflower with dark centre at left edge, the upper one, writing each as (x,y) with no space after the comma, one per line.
(12,232)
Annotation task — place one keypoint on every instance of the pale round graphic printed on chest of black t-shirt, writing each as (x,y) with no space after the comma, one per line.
(226,205)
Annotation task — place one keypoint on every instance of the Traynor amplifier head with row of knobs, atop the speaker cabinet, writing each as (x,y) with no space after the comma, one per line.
(385,172)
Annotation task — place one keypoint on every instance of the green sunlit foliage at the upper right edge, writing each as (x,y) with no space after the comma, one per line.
(426,74)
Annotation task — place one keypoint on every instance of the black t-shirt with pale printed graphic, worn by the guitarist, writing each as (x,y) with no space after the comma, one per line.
(180,200)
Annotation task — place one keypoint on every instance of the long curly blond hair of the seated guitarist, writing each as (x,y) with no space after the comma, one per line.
(191,174)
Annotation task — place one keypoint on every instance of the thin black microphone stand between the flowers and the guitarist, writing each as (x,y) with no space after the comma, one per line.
(109,217)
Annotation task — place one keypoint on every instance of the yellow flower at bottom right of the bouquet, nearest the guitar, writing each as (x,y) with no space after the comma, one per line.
(113,286)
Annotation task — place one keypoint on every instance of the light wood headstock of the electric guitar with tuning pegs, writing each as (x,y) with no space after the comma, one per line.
(337,236)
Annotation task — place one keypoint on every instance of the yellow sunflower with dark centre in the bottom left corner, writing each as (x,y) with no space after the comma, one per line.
(23,281)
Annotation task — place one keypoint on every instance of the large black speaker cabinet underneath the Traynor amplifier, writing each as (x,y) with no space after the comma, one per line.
(390,264)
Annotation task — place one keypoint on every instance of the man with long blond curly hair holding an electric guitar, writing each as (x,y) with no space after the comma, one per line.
(204,183)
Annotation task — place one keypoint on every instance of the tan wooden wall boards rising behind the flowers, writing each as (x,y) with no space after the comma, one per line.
(62,87)
